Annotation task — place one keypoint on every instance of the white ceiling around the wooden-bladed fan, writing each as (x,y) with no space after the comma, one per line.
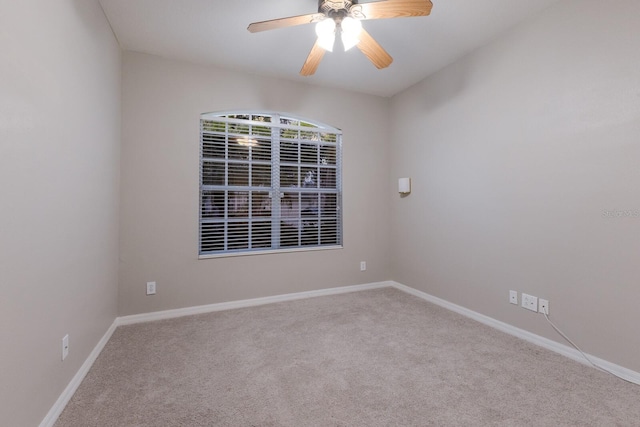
(215,32)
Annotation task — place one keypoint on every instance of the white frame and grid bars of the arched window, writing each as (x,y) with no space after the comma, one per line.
(279,123)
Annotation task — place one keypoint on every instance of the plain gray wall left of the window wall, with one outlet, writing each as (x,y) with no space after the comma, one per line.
(59,167)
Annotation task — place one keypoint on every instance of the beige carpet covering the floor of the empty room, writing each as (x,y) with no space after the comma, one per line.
(371,358)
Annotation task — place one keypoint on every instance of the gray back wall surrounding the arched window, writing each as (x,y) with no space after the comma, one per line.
(162,103)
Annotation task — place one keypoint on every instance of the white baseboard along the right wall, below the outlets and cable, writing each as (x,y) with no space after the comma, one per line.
(554,346)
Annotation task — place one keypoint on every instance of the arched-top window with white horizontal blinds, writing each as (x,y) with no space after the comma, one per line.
(268,182)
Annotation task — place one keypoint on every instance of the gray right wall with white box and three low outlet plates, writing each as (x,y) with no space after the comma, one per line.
(516,152)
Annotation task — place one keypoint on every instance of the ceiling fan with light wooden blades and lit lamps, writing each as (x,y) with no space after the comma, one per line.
(344,17)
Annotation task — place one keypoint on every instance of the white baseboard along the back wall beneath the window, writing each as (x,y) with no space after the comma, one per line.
(188,311)
